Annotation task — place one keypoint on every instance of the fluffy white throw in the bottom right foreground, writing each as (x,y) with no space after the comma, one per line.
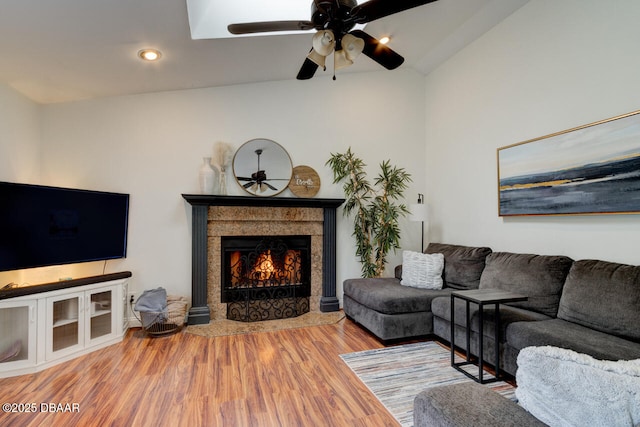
(563,388)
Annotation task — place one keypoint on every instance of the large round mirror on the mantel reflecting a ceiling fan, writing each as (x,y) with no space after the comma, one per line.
(262,167)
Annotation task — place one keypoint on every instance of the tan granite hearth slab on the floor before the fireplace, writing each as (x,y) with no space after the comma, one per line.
(218,328)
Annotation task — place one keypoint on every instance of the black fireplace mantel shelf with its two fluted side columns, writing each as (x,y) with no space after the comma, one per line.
(199,312)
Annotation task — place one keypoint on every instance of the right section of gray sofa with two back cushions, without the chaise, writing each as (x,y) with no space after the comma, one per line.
(592,307)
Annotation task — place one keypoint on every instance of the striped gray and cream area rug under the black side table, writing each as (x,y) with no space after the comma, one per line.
(396,375)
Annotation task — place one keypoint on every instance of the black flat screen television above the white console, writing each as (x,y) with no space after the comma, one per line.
(42,226)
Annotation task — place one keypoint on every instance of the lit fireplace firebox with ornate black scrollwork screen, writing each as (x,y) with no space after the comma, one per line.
(265,277)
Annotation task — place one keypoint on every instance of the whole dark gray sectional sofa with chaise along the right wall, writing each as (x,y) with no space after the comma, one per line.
(588,306)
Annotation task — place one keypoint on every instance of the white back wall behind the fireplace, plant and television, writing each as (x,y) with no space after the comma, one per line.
(151,146)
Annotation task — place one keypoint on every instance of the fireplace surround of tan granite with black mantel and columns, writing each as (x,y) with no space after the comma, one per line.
(217,216)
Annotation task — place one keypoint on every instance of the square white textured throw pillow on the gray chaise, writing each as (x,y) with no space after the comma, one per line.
(422,270)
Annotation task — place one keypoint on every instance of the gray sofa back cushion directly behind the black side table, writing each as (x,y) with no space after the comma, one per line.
(539,277)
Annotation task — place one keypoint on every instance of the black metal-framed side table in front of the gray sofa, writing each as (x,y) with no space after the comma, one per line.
(481,297)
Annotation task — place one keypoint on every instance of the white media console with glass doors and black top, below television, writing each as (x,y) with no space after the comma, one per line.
(43,325)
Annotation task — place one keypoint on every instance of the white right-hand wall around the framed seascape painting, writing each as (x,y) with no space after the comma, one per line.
(551,66)
